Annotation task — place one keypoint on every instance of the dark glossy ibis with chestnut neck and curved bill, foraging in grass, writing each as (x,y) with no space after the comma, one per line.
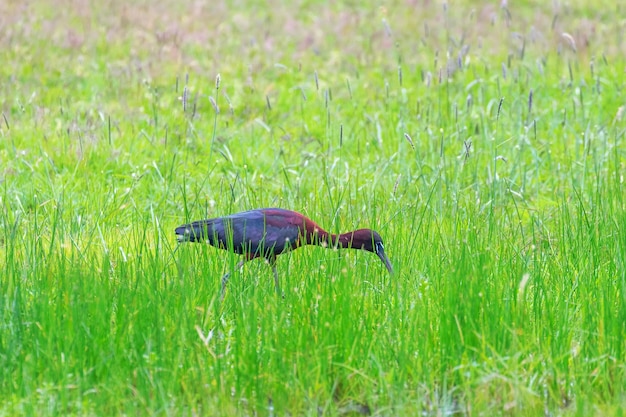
(269,232)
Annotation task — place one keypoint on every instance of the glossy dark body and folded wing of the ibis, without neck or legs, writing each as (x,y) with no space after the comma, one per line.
(260,232)
